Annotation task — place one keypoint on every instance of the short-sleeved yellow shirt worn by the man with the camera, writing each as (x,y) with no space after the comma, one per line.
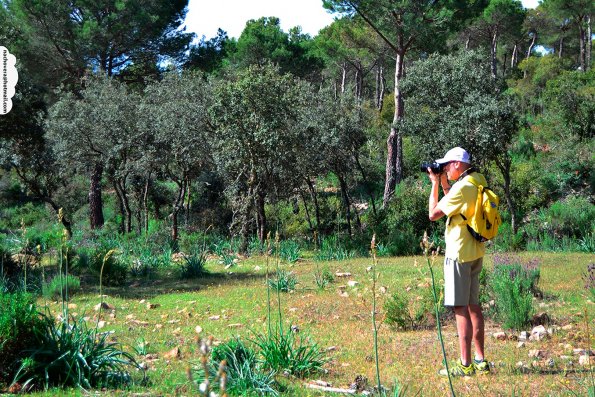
(461,199)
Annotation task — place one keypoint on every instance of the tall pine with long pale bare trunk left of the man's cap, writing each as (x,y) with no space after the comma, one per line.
(402,25)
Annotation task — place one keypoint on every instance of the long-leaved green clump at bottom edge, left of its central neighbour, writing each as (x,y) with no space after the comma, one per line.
(245,373)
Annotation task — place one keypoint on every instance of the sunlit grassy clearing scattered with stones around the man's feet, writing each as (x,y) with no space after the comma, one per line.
(163,313)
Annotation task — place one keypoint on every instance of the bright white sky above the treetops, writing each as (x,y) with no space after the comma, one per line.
(206,16)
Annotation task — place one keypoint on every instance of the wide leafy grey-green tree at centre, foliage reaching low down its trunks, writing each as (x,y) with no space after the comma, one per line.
(256,144)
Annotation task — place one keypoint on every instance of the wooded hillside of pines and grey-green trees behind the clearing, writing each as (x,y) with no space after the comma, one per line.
(123,123)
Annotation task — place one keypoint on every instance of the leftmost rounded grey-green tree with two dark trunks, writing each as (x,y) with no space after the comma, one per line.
(96,133)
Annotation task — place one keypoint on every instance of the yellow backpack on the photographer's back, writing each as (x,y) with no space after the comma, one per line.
(483,226)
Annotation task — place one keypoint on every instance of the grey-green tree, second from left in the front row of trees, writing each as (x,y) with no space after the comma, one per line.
(175,137)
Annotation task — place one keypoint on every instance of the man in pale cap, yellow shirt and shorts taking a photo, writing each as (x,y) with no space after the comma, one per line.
(463,256)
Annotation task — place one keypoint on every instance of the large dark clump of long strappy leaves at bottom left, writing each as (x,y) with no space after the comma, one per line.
(70,354)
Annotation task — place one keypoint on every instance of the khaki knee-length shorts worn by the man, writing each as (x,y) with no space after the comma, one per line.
(461,282)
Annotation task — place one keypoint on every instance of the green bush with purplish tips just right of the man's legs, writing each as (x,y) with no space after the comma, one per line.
(514,282)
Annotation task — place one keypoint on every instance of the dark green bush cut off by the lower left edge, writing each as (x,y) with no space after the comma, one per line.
(18,320)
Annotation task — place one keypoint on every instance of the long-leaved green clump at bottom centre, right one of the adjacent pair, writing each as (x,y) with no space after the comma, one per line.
(289,351)
